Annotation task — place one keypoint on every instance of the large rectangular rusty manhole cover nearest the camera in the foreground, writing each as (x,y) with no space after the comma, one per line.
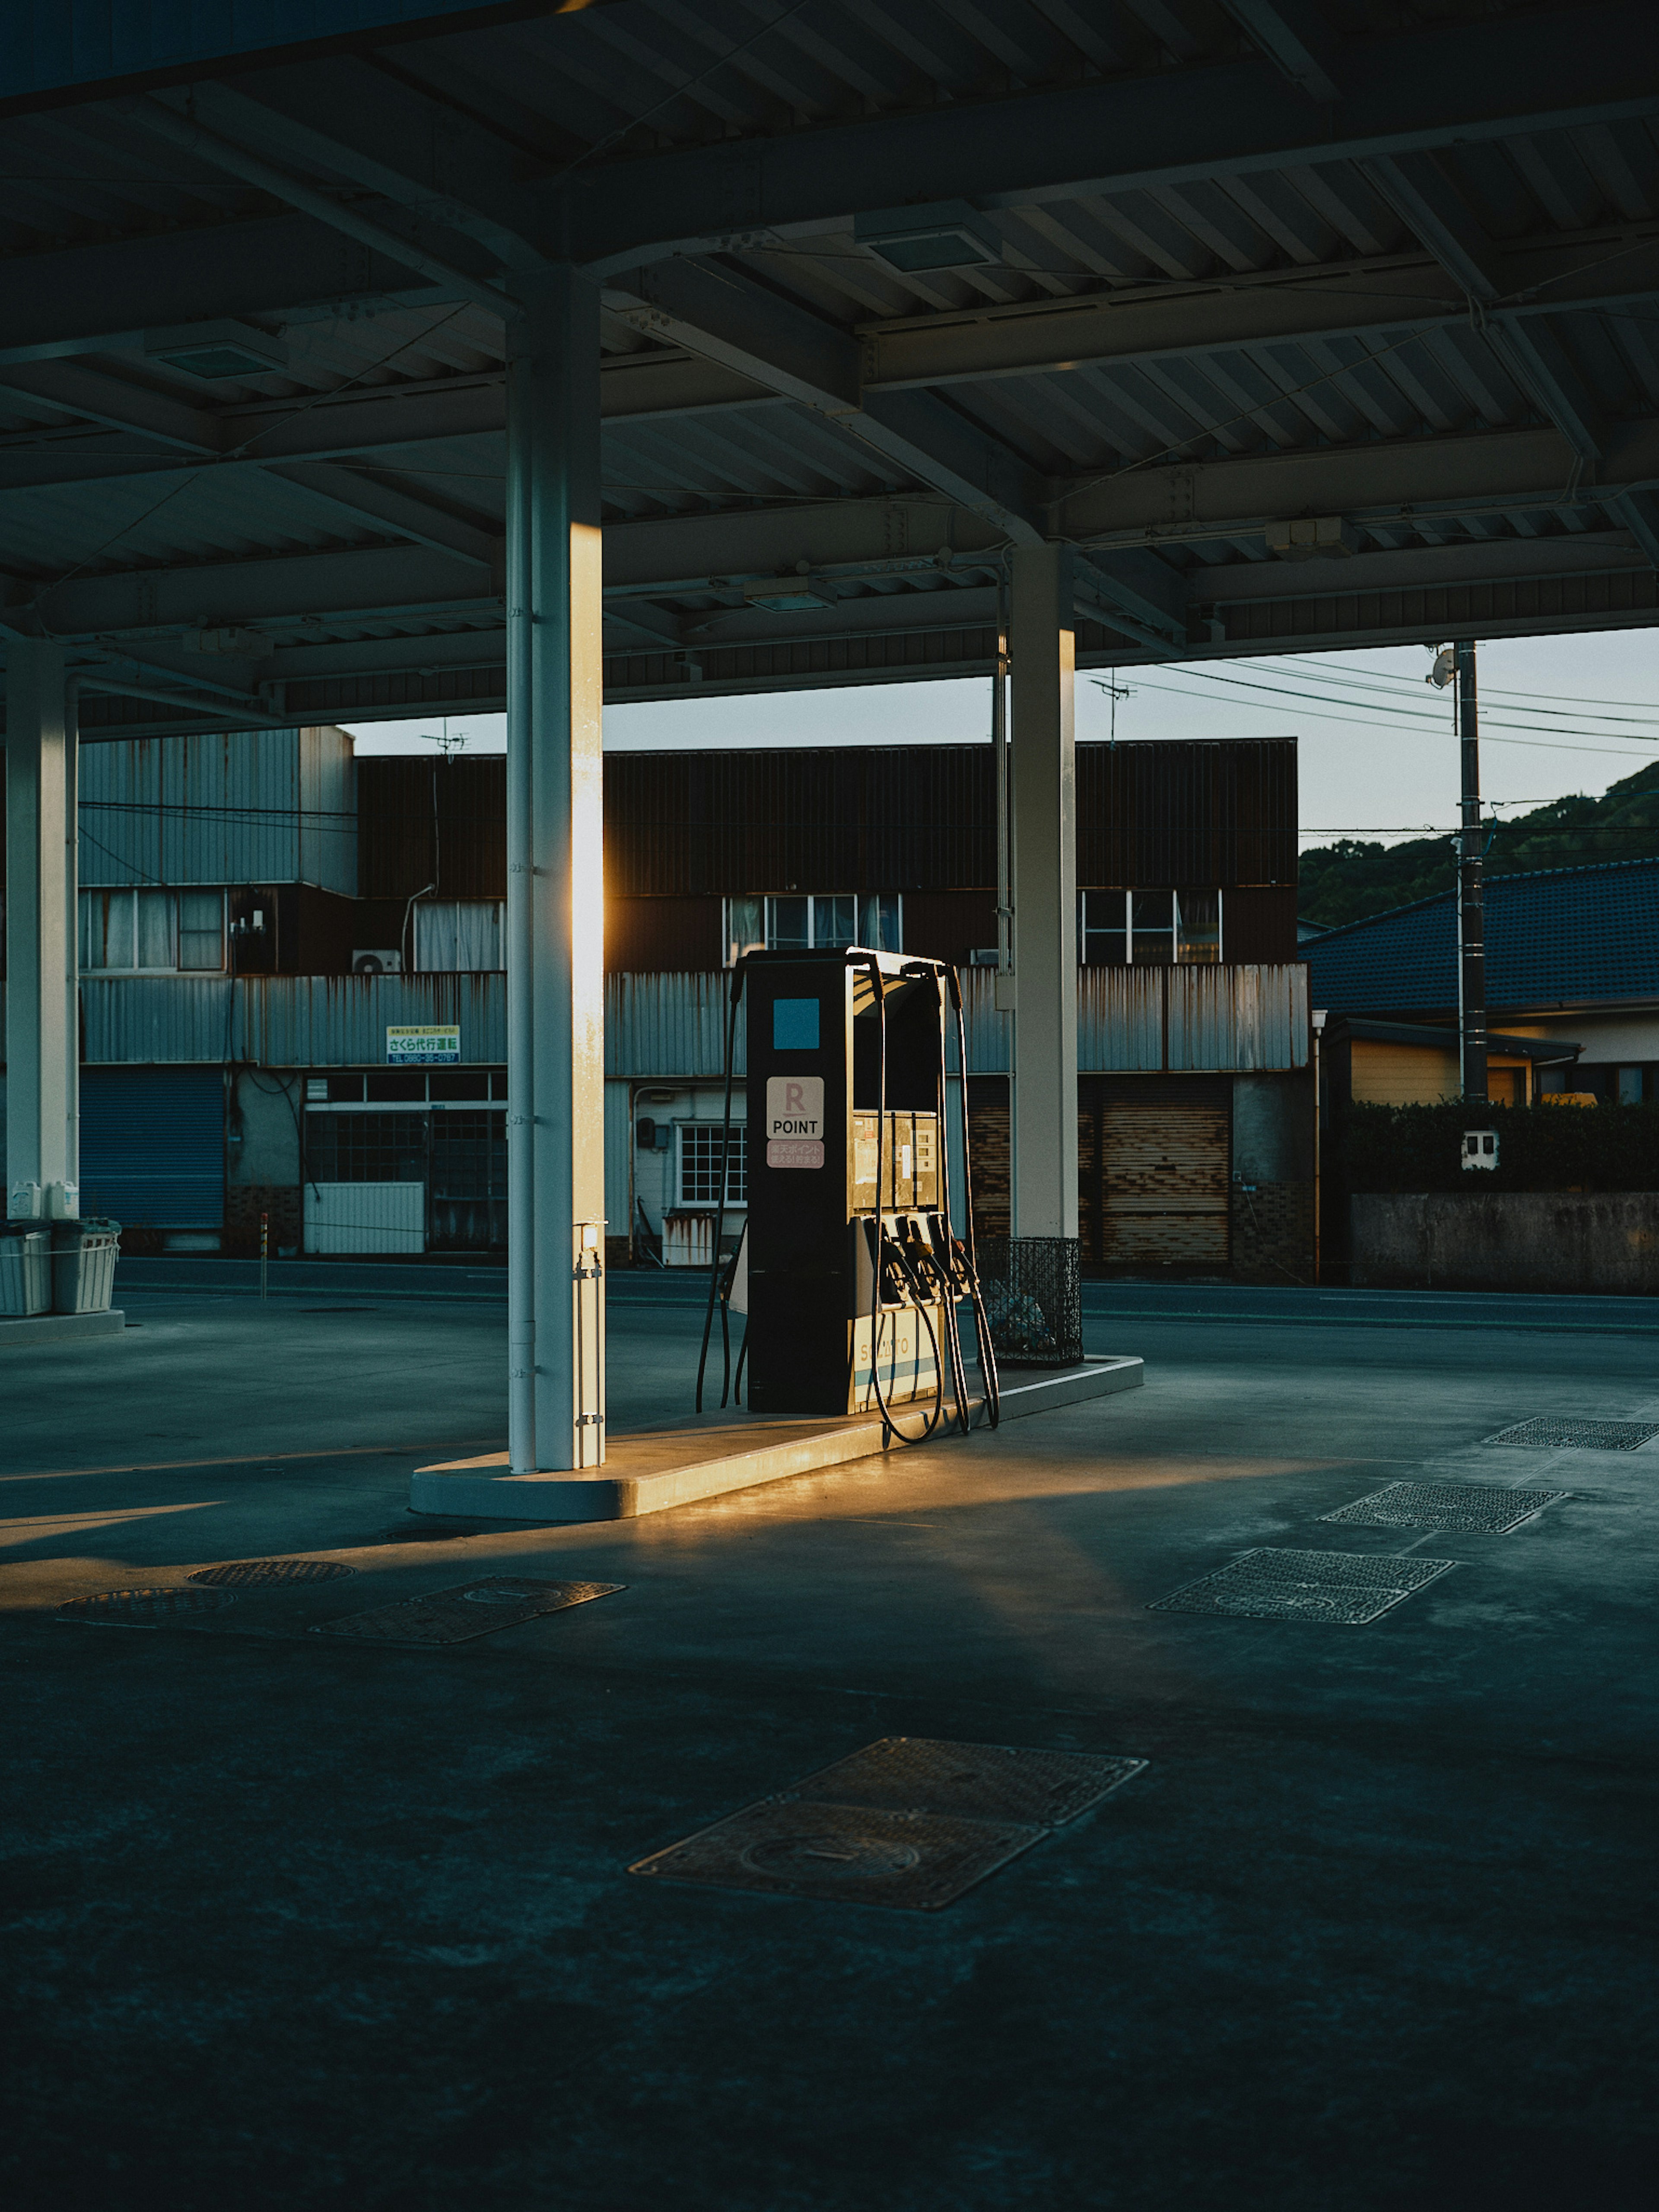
(844,1853)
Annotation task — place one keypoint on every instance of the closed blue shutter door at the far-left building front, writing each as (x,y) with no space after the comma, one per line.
(154,1147)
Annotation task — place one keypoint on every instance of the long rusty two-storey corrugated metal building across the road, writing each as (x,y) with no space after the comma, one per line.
(260,912)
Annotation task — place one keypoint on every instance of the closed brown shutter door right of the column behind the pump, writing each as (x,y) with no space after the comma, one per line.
(1162,1180)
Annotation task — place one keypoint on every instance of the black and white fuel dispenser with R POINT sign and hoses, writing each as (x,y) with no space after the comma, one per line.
(848,1269)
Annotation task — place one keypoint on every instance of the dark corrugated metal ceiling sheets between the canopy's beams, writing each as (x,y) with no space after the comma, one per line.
(614,87)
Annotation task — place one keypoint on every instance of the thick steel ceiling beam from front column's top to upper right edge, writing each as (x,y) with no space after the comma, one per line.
(1432,85)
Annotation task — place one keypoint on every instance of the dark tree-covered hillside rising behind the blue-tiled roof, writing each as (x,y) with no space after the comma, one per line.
(1350,879)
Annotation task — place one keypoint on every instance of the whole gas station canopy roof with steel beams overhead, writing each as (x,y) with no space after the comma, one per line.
(1302,322)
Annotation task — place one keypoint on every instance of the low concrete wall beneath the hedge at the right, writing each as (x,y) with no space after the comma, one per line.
(1510,1240)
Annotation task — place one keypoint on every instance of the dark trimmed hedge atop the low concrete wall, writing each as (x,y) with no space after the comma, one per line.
(1538,1147)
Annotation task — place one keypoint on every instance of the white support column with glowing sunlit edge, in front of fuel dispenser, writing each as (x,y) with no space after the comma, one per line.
(556,881)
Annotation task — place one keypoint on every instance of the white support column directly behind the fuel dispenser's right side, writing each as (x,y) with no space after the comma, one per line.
(1045,895)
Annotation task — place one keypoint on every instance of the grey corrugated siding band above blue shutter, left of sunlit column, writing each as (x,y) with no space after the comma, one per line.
(286,1021)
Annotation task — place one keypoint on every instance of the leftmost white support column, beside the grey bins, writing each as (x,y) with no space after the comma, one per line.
(41,946)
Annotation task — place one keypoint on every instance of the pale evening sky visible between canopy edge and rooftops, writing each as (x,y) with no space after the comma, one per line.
(1377,753)
